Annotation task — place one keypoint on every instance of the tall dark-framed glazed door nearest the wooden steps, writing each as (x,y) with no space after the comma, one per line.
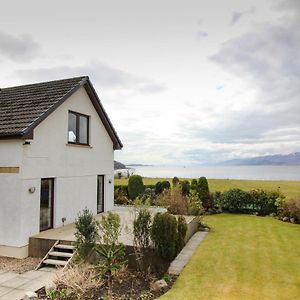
(46,203)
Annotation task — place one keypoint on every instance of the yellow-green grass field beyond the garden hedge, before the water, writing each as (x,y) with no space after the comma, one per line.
(289,188)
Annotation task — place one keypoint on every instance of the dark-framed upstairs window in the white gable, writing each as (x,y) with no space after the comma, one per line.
(78,131)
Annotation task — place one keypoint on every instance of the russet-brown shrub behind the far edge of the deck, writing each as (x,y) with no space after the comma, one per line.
(174,201)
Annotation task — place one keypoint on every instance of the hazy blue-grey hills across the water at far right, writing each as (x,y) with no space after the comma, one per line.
(268,160)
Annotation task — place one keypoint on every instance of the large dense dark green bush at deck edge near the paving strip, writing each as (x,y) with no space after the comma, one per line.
(164,235)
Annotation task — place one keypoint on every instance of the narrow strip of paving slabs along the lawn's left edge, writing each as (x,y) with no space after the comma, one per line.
(186,253)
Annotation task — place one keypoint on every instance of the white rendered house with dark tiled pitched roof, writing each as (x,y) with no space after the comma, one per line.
(56,158)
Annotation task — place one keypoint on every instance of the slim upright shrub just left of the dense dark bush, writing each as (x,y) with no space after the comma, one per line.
(141,229)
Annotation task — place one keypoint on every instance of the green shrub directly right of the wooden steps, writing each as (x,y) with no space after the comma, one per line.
(86,234)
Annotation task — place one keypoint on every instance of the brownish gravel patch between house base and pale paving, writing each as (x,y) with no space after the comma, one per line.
(18,265)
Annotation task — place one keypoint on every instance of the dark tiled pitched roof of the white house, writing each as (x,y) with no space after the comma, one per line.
(22,108)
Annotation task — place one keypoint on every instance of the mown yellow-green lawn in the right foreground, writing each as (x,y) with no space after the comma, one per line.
(243,257)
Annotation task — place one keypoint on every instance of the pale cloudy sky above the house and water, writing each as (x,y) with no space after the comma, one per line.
(184,82)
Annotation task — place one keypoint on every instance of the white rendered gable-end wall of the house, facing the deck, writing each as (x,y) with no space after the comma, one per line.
(75,168)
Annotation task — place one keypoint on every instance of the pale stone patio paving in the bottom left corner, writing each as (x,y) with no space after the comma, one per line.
(13,286)
